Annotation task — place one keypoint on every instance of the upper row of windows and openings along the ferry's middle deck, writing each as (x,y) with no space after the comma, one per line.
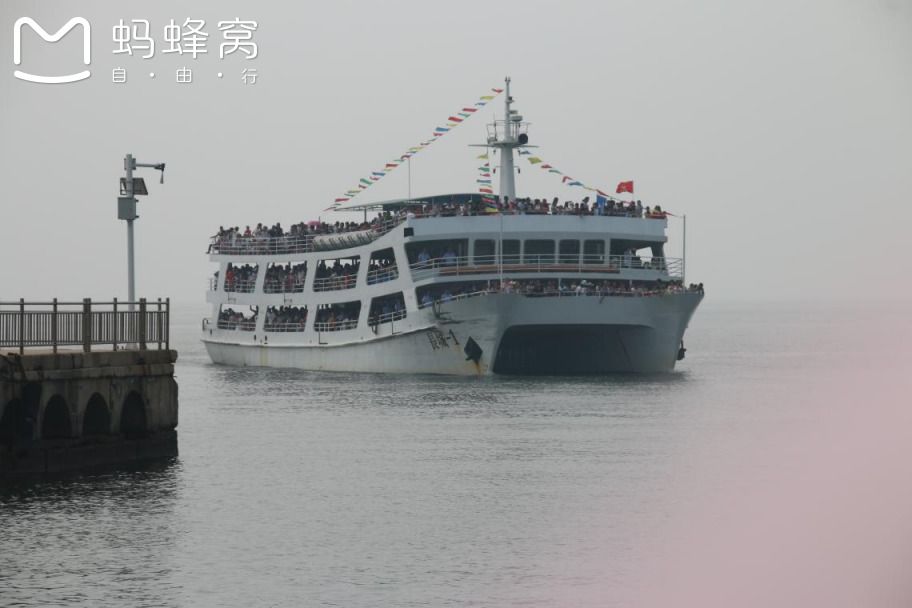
(342,273)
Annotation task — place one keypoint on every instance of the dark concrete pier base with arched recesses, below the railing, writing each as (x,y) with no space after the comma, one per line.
(69,410)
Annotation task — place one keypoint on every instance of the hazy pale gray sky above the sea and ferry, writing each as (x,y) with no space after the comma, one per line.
(781,128)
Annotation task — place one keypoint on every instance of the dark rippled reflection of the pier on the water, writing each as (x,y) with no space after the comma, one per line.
(101,539)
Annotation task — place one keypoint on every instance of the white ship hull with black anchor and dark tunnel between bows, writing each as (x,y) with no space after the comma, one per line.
(498,333)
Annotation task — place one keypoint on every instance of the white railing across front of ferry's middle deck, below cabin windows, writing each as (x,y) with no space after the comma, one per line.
(599,264)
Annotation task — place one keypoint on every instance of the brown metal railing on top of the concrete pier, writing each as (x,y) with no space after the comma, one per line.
(86,324)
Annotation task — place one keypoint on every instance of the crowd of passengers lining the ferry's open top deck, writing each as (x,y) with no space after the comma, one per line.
(263,233)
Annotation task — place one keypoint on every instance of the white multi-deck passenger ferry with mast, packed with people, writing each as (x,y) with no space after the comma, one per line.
(444,285)
